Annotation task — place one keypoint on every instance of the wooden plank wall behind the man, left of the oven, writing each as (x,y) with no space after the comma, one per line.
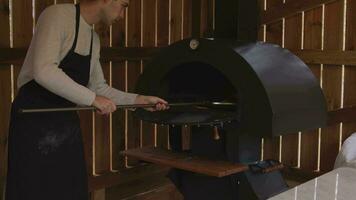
(147,23)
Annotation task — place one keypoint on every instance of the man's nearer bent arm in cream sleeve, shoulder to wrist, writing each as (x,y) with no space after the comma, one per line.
(46,42)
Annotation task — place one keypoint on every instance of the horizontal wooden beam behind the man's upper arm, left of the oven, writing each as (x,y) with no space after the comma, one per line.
(17,55)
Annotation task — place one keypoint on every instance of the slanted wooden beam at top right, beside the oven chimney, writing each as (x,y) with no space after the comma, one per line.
(290,8)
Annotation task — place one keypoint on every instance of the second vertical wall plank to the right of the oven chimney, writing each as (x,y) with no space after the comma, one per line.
(293,34)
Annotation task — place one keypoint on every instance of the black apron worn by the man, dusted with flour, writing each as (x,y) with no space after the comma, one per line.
(46,154)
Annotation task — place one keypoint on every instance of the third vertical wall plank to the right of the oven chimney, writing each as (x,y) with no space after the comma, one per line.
(312,40)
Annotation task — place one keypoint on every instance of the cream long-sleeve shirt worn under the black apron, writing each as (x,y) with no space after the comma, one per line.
(53,38)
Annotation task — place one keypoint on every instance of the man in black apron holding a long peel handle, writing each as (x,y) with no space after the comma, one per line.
(61,69)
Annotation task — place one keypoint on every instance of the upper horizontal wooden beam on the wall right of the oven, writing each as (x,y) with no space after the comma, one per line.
(332,57)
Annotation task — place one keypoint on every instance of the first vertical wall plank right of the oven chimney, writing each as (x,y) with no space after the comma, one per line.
(273,35)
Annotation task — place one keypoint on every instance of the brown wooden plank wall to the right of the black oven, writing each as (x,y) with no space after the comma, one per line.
(310,26)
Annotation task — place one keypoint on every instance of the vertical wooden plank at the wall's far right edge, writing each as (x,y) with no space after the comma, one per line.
(350,72)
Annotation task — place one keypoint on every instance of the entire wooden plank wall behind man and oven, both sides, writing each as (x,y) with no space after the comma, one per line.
(305,26)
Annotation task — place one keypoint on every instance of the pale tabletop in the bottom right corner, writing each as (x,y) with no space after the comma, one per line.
(339,184)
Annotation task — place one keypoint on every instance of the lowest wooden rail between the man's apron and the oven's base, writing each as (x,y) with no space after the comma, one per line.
(124,176)
